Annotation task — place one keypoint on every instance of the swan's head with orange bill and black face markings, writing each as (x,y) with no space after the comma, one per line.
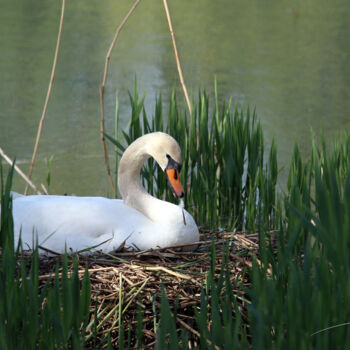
(166,151)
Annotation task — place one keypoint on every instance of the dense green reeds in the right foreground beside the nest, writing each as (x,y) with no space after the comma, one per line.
(303,300)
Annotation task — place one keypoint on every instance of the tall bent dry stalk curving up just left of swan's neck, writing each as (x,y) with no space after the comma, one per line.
(102,88)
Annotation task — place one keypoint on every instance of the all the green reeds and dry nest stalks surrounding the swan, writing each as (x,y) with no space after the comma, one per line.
(272,271)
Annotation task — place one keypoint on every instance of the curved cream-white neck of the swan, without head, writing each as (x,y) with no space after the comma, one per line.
(129,181)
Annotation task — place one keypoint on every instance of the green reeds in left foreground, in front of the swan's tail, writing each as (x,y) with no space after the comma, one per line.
(52,316)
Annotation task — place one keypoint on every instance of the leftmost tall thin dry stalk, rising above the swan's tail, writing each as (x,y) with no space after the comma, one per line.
(47,95)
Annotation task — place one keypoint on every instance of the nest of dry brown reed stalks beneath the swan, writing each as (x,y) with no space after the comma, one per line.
(136,279)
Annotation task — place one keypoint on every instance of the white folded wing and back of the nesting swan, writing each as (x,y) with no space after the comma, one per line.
(76,223)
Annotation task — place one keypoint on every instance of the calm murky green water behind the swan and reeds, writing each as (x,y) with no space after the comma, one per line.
(288,59)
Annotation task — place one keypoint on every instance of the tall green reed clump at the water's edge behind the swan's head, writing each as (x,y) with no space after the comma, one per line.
(225,167)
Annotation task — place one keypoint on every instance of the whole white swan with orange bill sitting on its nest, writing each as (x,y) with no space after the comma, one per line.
(141,221)
